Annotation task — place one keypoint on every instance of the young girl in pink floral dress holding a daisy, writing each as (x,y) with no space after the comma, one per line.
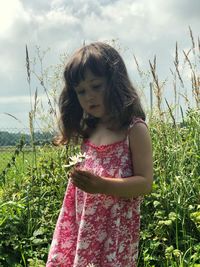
(99,221)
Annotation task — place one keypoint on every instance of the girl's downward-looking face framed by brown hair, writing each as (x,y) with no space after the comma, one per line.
(90,93)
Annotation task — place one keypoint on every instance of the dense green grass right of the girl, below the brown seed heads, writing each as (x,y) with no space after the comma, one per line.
(171,238)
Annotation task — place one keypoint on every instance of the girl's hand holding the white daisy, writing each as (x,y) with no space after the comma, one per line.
(88,181)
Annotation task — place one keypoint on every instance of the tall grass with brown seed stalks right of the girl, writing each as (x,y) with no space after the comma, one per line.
(171,214)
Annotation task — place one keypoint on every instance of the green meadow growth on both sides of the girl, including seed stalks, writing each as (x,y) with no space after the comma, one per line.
(33,183)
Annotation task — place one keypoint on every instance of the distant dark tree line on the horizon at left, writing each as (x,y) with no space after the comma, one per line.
(12,139)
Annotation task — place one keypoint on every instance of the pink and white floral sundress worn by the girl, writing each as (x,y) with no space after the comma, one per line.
(96,229)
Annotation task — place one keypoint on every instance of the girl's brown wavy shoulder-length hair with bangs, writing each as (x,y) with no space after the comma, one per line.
(121,99)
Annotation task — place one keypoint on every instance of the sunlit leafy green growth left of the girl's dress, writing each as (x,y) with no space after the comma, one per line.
(30,196)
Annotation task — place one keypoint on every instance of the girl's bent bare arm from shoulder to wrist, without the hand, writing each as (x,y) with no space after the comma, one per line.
(141,182)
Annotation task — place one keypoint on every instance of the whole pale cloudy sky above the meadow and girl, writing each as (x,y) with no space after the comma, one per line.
(57,28)
